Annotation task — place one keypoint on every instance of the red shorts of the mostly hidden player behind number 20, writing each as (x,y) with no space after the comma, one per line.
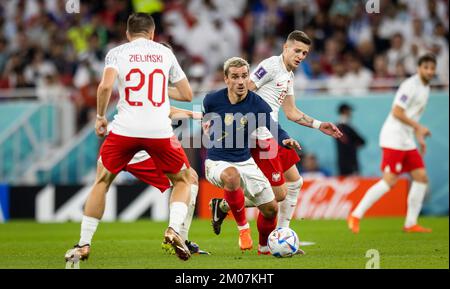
(147,172)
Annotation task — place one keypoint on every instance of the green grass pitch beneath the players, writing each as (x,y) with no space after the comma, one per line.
(138,245)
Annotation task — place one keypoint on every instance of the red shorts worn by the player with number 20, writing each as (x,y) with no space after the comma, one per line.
(167,154)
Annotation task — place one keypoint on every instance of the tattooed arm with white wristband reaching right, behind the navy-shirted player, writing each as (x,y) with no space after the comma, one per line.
(297,116)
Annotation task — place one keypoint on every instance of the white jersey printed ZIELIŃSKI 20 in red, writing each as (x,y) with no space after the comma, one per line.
(144,70)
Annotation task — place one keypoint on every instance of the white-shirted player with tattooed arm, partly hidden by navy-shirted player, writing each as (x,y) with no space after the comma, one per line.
(273,80)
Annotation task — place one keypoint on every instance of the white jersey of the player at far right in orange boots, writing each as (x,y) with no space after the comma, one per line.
(412,96)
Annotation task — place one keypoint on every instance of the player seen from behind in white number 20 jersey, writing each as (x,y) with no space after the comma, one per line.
(143,69)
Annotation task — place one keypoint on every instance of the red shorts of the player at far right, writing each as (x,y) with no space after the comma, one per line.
(398,162)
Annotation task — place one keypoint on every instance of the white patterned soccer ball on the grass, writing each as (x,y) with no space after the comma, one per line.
(283,242)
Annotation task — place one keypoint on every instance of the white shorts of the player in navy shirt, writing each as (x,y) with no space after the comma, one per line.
(256,187)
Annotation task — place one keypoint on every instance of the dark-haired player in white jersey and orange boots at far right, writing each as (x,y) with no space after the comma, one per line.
(400,153)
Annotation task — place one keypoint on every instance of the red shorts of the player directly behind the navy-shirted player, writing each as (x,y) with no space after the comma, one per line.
(273,167)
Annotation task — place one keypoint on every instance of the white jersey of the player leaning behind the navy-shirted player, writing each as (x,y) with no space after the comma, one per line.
(273,82)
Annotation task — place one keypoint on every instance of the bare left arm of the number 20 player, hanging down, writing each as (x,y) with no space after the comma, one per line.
(103,95)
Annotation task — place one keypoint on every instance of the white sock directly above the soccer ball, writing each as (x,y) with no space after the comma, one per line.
(288,205)
